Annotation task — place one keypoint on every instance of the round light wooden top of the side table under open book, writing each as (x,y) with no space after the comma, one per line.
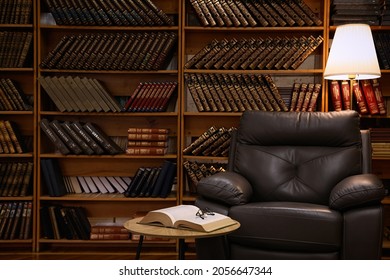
(151,230)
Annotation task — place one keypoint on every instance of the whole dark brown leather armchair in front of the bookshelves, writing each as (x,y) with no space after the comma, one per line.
(300,185)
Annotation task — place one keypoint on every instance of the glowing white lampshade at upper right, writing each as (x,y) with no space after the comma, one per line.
(352,54)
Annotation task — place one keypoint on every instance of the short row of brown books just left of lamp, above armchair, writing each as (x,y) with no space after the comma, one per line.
(304,97)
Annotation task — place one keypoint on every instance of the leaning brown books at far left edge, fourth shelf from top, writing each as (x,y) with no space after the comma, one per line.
(11,141)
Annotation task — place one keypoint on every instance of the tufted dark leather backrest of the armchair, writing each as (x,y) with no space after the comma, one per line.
(296,156)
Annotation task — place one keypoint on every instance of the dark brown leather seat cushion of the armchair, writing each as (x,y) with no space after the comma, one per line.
(288,226)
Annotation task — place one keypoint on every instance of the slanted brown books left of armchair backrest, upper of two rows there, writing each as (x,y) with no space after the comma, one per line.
(215,141)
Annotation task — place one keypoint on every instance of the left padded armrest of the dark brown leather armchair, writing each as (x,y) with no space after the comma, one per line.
(227,187)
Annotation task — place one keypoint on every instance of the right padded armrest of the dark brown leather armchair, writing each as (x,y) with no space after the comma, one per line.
(356,191)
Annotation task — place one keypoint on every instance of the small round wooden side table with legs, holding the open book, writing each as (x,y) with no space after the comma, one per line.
(147,230)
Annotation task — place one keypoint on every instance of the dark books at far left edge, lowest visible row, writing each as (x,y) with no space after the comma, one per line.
(15,220)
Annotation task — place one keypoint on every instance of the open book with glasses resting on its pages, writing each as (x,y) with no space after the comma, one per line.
(186,217)
